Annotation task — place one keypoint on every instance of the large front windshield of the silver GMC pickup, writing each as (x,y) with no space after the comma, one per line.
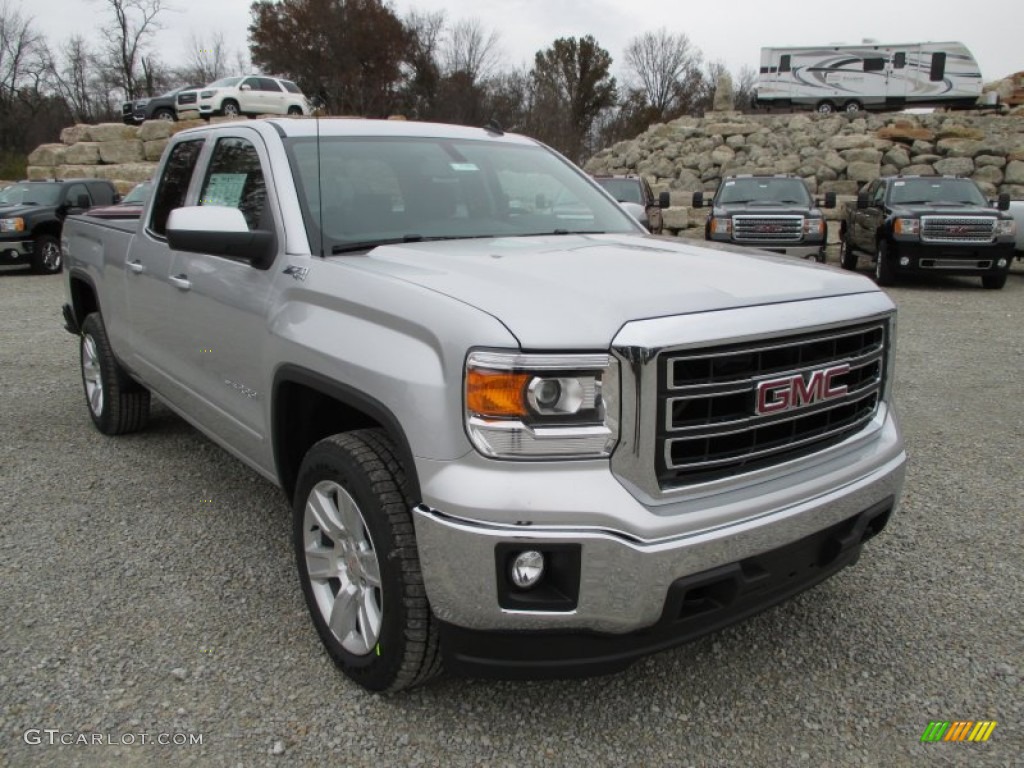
(405,190)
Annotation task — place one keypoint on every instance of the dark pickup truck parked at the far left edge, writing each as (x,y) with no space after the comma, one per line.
(32,216)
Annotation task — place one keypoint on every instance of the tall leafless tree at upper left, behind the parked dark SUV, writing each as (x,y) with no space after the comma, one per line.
(135,24)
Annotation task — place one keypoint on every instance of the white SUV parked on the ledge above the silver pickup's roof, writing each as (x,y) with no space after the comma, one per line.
(255,95)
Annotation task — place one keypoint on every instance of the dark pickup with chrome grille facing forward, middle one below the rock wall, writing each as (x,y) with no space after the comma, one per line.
(772,212)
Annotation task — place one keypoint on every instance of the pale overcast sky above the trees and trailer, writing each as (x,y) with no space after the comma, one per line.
(733,31)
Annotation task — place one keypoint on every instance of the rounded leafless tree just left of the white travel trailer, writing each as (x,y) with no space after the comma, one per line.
(661,66)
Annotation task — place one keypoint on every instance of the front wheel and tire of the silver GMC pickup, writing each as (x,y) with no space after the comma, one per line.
(359,565)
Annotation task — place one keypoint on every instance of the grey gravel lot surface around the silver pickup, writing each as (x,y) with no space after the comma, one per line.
(148,587)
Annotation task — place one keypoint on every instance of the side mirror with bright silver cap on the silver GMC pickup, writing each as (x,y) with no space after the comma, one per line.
(221,231)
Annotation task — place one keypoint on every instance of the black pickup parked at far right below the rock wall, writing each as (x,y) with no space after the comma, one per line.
(936,225)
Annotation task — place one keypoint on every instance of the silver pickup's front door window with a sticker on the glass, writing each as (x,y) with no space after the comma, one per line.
(235,179)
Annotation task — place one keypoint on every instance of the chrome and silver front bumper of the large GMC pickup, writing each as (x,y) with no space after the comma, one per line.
(625,577)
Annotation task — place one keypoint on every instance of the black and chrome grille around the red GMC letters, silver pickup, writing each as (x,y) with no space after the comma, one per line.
(708,424)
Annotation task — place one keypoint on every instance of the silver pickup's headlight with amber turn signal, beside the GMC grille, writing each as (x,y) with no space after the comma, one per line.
(542,406)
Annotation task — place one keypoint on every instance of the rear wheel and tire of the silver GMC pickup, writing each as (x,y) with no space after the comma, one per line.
(117,404)
